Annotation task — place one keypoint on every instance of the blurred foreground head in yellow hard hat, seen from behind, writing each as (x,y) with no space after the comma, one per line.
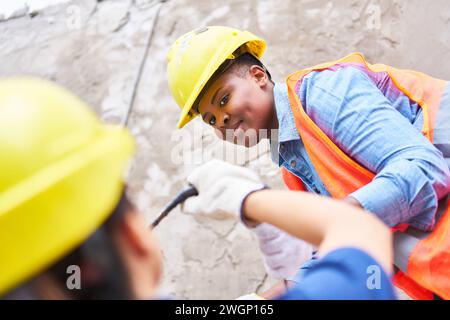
(67,230)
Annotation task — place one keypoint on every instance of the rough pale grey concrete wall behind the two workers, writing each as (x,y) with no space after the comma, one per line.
(96,49)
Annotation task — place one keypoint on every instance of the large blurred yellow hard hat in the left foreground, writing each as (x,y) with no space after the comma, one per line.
(61,175)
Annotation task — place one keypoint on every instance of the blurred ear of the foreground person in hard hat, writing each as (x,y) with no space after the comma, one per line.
(136,233)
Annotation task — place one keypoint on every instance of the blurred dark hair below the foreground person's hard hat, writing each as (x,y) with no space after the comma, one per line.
(103,275)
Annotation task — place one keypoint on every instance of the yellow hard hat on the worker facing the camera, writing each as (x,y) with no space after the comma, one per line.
(195,56)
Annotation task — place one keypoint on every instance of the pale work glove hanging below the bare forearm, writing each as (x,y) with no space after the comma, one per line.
(283,253)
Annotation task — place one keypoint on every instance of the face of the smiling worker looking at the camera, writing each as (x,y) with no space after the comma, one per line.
(239,105)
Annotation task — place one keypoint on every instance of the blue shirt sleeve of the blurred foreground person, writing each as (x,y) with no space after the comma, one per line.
(346,273)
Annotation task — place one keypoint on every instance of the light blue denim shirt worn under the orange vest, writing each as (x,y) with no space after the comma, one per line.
(377,126)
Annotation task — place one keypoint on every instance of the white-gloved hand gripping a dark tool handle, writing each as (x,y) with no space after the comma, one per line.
(222,189)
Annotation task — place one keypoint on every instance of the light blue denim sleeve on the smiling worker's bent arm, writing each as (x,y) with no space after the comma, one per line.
(411,174)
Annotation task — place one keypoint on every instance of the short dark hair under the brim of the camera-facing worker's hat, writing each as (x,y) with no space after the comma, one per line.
(240,66)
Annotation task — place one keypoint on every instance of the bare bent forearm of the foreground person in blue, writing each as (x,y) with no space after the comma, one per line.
(326,223)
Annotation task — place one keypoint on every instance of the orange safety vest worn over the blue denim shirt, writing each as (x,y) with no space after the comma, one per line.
(429,262)
